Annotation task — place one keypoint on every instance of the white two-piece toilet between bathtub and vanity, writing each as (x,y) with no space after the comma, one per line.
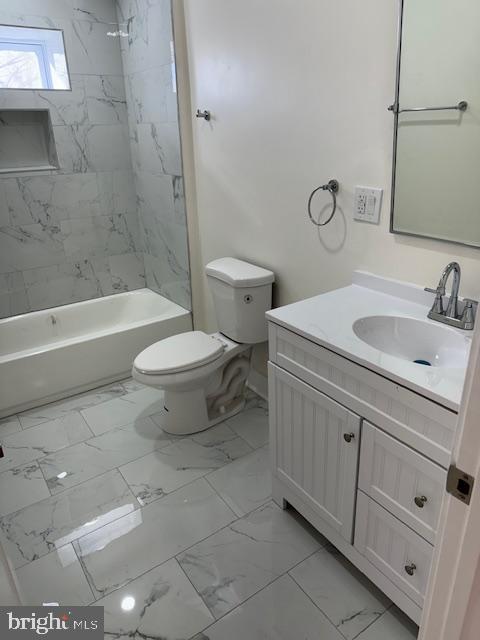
(204,375)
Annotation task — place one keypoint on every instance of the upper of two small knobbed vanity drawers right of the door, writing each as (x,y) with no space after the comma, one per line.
(401,480)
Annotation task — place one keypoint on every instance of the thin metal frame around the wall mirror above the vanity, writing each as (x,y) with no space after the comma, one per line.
(394,109)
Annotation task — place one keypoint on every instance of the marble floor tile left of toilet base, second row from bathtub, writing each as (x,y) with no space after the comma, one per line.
(120,411)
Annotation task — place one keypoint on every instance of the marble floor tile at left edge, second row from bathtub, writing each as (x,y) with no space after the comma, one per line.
(42,440)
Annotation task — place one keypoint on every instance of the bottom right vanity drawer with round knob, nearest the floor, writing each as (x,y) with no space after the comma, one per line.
(397,551)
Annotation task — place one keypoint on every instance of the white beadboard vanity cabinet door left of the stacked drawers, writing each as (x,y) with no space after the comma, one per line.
(315,444)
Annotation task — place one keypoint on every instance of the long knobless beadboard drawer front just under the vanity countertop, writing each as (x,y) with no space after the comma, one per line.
(420,423)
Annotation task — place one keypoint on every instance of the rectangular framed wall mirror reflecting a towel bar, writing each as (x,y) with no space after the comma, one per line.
(436,169)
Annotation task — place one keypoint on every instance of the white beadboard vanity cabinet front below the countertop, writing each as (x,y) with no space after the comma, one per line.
(362,458)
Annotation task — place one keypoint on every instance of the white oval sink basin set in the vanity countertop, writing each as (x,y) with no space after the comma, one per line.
(413,340)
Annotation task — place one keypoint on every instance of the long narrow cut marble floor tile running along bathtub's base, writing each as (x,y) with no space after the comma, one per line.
(58,409)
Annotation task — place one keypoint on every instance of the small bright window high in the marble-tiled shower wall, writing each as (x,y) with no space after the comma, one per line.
(32,58)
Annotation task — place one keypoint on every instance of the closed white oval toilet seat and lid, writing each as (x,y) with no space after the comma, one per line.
(179,353)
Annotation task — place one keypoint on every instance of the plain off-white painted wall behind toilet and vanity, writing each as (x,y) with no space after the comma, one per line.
(299,91)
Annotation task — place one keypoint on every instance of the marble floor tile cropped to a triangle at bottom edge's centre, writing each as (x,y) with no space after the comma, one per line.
(280,612)
